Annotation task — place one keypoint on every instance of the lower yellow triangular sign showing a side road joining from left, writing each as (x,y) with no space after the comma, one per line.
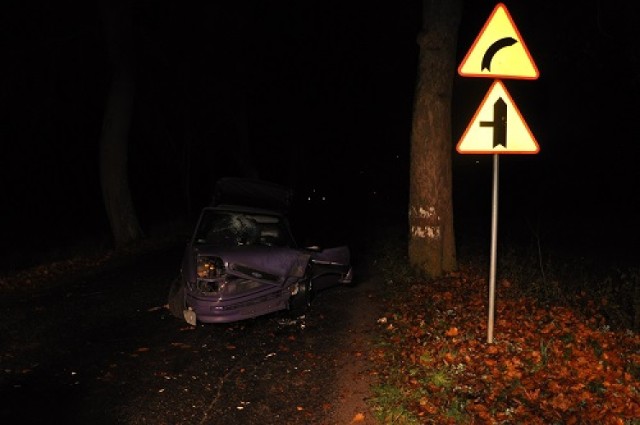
(498,127)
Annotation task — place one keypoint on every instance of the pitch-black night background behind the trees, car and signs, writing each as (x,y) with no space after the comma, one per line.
(328,90)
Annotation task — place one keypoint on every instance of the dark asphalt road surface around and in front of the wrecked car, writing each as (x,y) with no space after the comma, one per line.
(102,349)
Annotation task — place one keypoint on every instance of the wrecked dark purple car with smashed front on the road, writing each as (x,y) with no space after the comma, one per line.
(243,262)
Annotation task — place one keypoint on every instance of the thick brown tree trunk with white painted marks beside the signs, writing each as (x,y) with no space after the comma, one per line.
(431,240)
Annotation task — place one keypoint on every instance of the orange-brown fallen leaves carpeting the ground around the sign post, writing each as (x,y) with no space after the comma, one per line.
(546,364)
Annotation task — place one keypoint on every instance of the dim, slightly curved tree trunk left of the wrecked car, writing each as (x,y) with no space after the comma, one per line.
(116,125)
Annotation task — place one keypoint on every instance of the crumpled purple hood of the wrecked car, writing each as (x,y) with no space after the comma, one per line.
(280,261)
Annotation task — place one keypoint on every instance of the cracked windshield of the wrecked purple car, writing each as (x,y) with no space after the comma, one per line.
(230,228)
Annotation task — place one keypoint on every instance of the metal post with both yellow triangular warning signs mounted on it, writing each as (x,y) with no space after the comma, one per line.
(497,126)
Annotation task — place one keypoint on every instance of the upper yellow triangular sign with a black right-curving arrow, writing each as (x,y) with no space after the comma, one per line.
(499,51)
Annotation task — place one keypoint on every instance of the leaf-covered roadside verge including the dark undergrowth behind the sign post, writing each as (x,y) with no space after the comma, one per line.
(561,352)
